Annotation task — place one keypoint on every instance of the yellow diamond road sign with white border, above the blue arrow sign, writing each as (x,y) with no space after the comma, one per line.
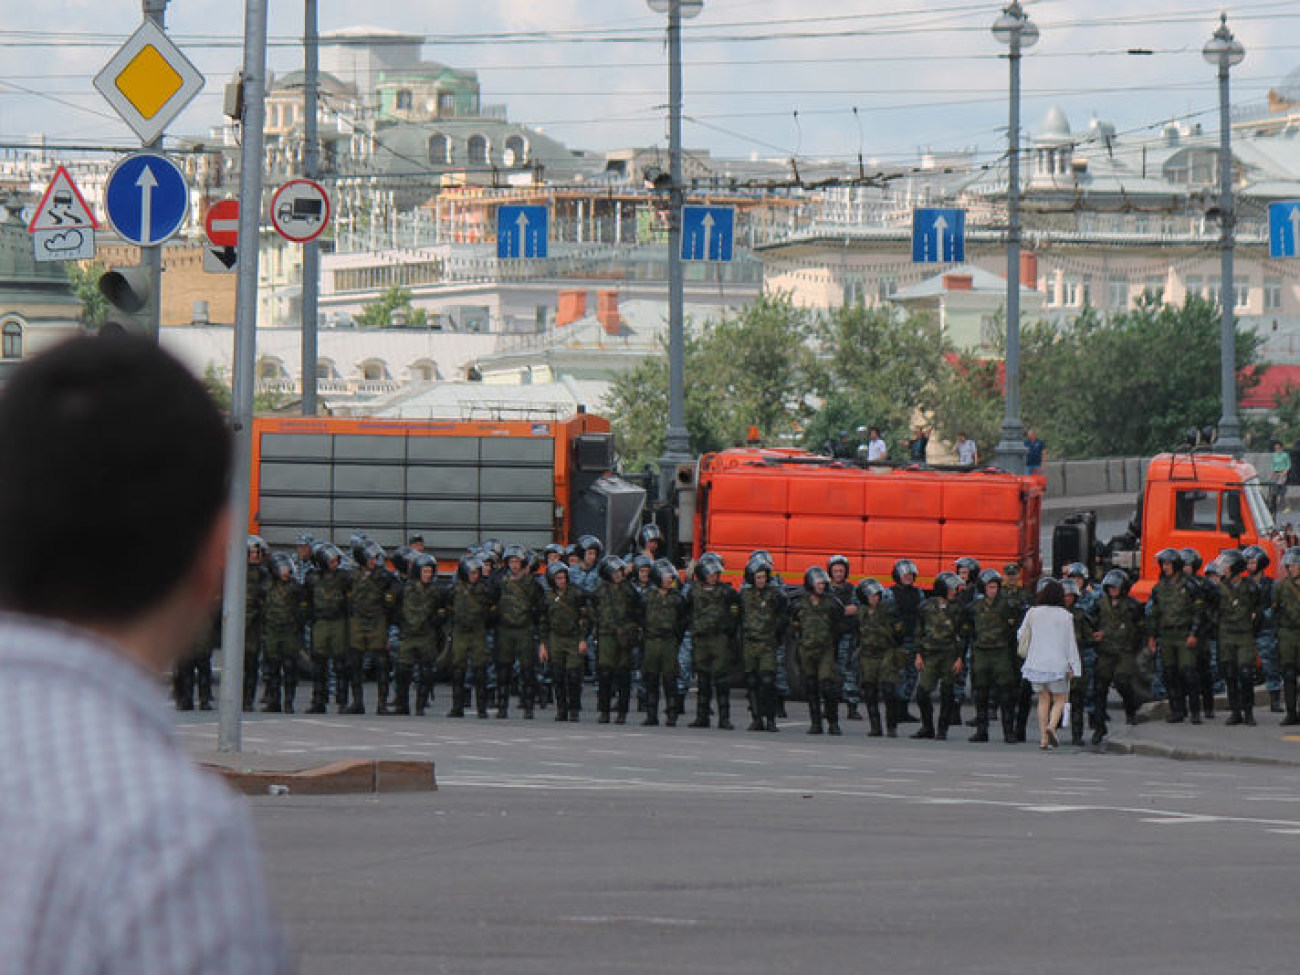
(149,83)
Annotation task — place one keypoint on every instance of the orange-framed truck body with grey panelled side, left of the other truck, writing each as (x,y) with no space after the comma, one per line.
(453,482)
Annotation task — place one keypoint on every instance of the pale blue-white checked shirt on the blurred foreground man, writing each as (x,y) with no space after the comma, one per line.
(118,855)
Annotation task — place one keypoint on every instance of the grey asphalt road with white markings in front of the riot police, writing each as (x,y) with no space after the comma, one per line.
(580,848)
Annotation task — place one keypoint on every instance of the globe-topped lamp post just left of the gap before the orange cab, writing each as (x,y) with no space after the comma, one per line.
(1019,32)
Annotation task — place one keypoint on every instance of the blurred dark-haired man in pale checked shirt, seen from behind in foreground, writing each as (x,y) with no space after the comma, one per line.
(119,855)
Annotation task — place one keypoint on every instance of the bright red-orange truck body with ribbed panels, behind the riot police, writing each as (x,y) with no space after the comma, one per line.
(804,508)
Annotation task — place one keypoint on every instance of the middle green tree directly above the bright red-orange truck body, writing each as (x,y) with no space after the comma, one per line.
(874,369)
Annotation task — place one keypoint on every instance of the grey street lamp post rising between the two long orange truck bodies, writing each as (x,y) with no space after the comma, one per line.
(677,444)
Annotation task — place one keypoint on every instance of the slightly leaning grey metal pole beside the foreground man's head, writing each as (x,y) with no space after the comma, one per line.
(252,164)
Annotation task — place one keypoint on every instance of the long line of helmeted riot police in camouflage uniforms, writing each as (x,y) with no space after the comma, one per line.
(515,622)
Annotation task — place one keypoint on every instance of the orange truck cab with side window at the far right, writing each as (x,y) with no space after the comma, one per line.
(1208,502)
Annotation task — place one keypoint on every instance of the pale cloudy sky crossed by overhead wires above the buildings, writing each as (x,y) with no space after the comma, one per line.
(834,80)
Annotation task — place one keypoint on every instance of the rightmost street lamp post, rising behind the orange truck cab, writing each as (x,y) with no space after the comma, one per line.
(1225,51)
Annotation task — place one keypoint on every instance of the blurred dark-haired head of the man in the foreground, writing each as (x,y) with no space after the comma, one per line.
(112,439)
